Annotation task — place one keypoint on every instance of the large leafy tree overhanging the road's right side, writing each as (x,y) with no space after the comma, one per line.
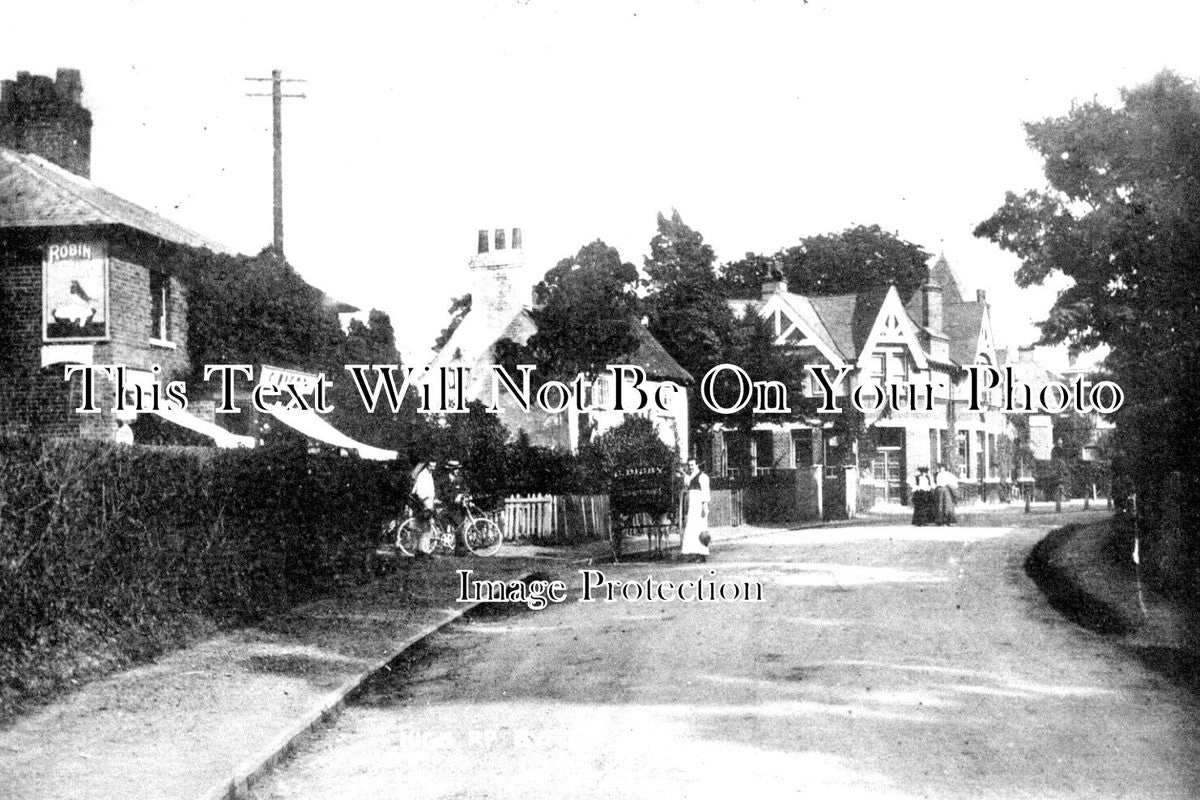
(1120,216)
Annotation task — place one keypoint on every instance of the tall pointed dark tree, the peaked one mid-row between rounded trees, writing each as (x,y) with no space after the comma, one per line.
(686,306)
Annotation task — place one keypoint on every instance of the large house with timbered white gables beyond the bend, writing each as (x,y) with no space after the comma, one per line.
(921,346)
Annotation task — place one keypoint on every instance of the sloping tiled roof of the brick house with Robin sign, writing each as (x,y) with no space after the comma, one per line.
(35,194)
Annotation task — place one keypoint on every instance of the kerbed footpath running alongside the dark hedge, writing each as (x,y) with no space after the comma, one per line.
(196,721)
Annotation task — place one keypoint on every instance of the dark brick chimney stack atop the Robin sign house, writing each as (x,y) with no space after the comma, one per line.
(46,118)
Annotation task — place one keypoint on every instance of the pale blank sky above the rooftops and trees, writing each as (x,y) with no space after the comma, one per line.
(761,123)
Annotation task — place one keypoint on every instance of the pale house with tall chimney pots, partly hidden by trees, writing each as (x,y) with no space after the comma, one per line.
(501,305)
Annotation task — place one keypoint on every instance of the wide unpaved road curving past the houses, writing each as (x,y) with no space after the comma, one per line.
(884,663)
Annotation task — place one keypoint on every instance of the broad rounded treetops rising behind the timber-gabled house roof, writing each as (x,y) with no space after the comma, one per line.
(831,264)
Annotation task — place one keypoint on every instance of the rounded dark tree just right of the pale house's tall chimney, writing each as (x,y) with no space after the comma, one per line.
(587,308)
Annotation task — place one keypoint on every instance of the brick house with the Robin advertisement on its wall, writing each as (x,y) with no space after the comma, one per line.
(86,276)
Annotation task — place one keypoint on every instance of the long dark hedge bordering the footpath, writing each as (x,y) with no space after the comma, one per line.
(103,539)
